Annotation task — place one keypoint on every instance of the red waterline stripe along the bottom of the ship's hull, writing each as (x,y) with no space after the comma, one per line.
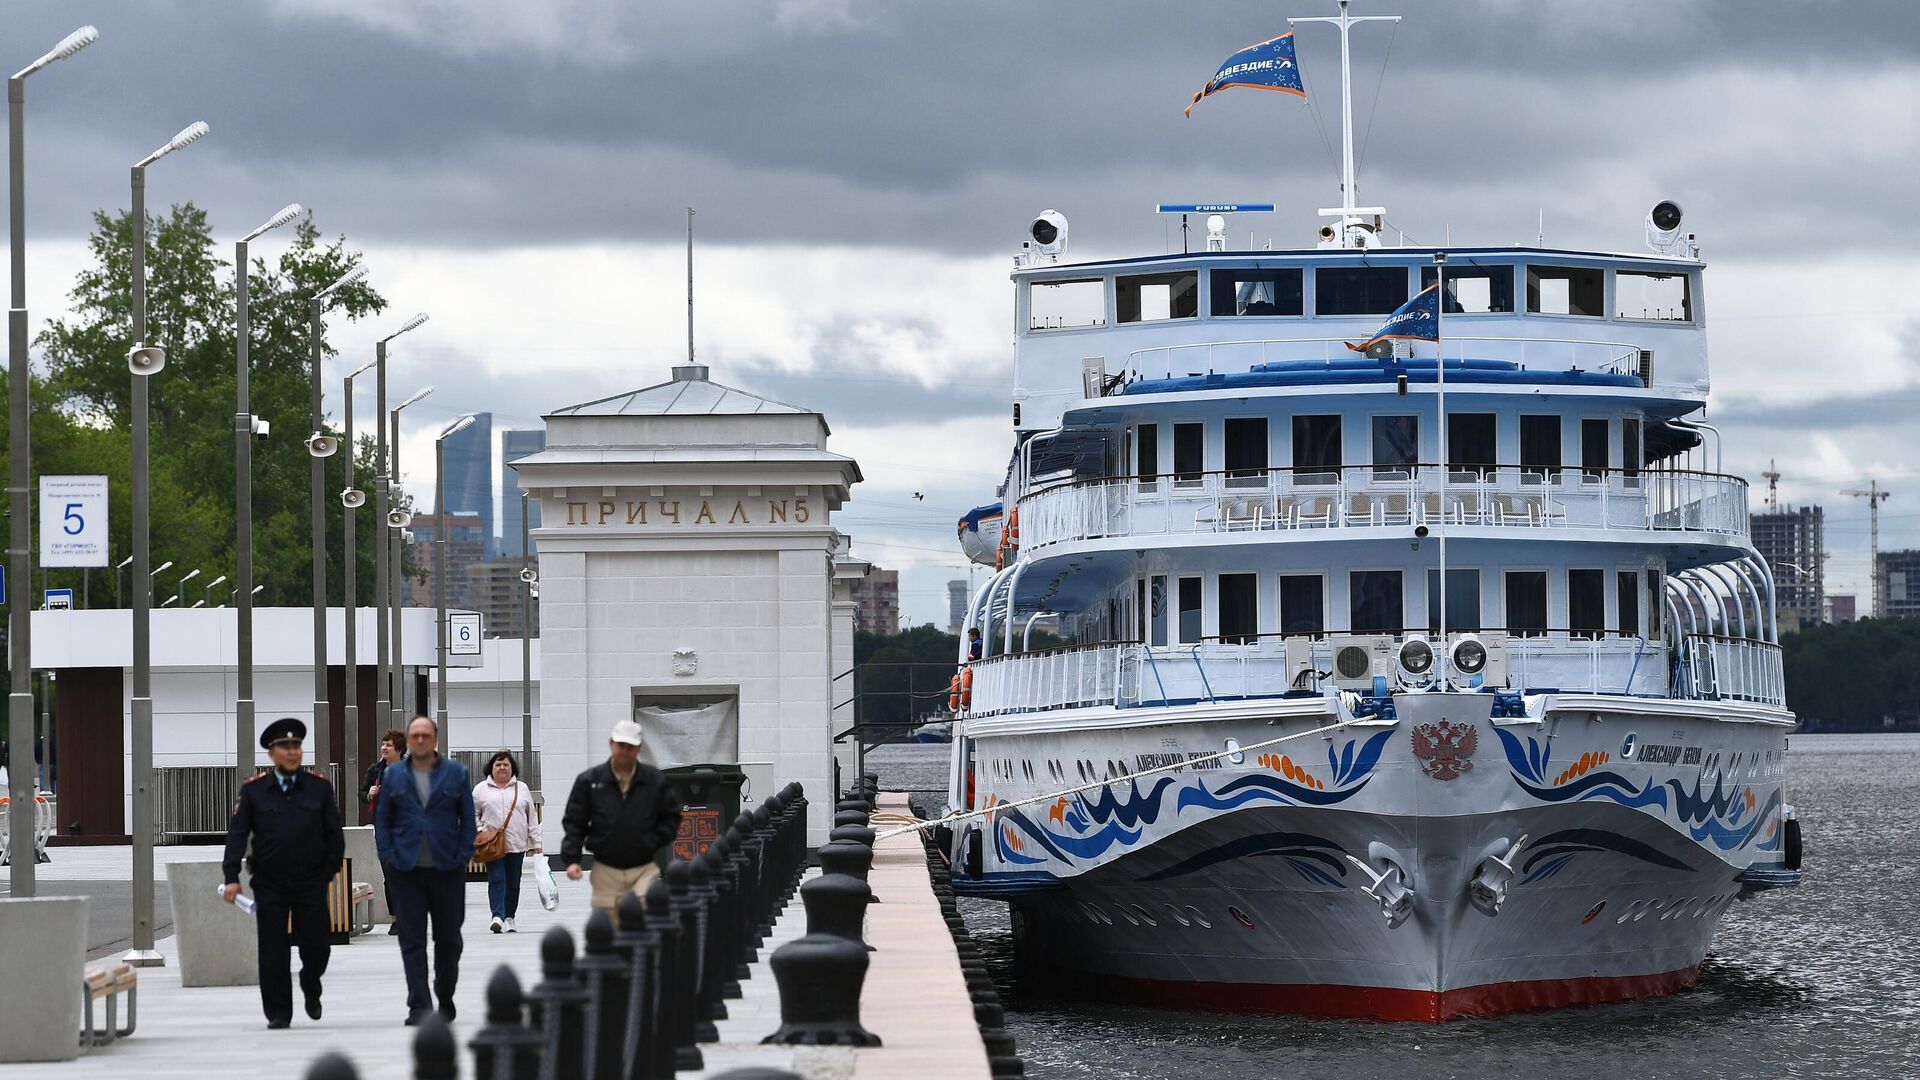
(1395,1004)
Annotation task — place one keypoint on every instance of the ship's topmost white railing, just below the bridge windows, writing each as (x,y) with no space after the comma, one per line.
(1207,358)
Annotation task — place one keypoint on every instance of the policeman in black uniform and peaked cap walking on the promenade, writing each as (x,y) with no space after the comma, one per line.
(295,823)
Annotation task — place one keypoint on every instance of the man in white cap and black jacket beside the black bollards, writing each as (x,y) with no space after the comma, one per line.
(623,812)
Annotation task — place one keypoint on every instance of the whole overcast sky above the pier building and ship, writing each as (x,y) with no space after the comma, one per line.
(863,172)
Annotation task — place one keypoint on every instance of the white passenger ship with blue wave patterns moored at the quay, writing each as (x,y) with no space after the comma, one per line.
(1527,629)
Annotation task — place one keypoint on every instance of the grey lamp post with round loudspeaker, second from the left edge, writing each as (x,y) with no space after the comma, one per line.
(145,362)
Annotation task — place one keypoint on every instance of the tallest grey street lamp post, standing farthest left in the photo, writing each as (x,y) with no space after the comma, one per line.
(20,472)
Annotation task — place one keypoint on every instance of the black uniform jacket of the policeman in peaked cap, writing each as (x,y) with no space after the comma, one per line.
(297,833)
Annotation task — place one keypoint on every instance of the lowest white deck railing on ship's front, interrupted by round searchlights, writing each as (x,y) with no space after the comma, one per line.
(1268,666)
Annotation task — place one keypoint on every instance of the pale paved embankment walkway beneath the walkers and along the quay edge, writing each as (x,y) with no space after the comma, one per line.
(915,994)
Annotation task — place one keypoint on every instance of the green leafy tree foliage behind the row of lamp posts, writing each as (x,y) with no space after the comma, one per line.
(85,401)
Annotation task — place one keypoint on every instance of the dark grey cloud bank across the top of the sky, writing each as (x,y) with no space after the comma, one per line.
(938,126)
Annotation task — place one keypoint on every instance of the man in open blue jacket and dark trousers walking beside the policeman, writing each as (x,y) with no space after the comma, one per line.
(425,837)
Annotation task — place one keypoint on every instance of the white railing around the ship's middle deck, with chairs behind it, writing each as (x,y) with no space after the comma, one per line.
(1385,497)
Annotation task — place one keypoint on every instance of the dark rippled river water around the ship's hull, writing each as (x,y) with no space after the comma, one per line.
(1817,981)
